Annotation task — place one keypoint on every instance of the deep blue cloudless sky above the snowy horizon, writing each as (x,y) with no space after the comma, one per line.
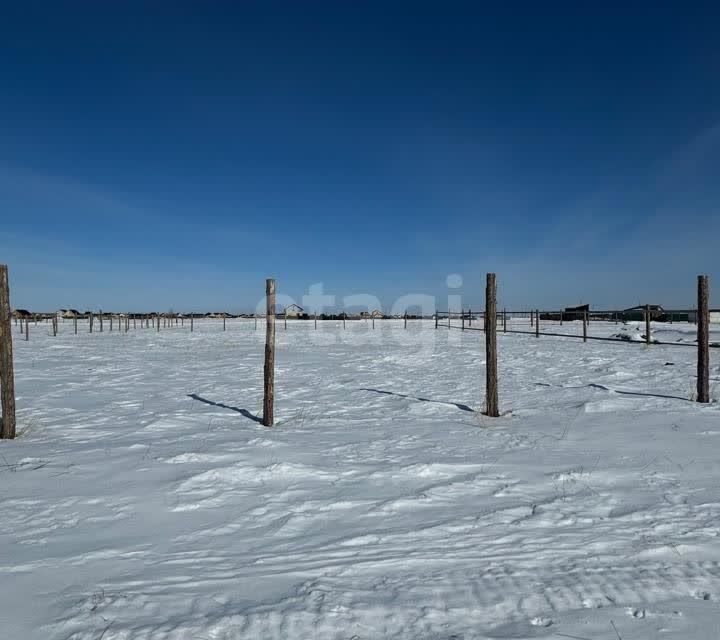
(173,155)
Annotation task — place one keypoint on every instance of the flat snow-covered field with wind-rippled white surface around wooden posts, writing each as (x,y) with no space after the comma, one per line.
(143,499)
